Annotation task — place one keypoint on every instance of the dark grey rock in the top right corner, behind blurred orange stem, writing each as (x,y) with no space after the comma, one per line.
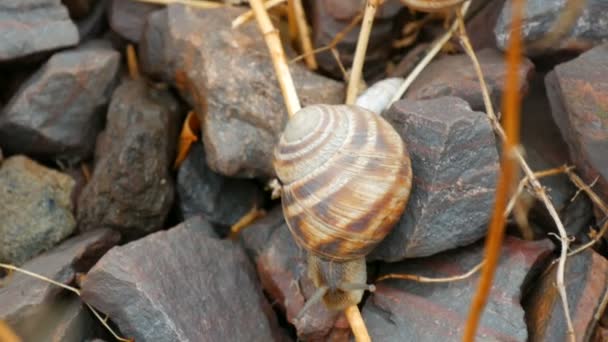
(589,29)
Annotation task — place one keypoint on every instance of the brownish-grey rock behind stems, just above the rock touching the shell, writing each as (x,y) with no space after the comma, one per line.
(455,76)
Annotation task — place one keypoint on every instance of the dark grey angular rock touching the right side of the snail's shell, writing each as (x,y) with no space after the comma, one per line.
(455,166)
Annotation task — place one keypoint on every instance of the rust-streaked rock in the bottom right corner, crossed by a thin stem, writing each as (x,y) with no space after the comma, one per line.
(586,280)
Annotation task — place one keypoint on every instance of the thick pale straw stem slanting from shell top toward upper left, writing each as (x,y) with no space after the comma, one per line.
(273,42)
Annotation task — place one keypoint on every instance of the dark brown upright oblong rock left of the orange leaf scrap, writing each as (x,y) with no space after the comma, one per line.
(131,188)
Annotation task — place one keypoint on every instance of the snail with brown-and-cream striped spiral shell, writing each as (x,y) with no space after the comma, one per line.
(345,177)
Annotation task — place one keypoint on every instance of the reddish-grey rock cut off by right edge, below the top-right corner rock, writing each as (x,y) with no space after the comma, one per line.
(577,92)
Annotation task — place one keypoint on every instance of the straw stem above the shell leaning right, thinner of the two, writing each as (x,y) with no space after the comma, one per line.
(357,68)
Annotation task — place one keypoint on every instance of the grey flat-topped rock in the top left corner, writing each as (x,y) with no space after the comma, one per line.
(34,26)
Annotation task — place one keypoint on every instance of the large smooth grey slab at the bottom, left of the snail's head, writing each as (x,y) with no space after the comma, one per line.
(181,285)
